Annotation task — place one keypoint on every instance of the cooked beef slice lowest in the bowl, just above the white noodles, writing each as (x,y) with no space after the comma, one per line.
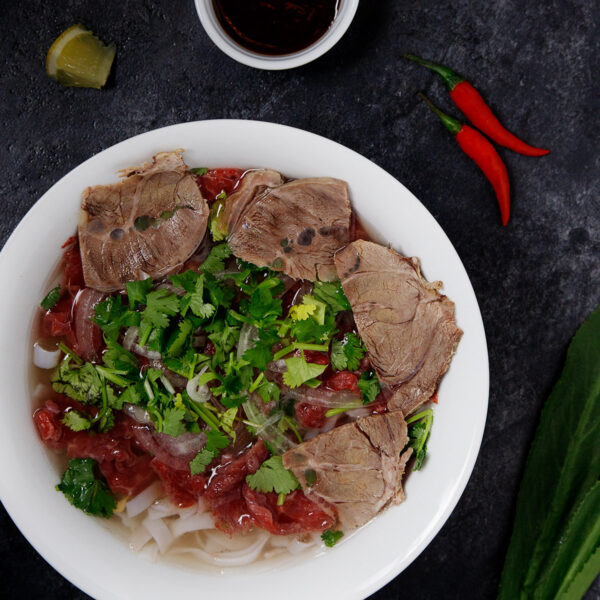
(356,467)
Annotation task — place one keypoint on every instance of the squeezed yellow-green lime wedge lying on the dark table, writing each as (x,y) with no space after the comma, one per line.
(78,58)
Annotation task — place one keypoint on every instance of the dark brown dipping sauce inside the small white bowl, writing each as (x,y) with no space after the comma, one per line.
(275,27)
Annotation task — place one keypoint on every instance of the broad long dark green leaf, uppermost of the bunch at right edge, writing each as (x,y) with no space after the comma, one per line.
(562,466)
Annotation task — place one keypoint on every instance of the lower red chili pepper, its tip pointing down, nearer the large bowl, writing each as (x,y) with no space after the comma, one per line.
(481,151)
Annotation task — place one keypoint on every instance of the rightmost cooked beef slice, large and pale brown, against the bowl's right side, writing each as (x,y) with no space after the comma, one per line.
(408,327)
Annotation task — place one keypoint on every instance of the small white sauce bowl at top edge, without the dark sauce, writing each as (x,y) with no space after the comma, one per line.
(211,25)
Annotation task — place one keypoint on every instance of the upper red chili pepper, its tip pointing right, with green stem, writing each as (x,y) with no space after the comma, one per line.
(474,107)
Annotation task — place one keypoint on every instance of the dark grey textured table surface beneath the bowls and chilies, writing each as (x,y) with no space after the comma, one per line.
(536,280)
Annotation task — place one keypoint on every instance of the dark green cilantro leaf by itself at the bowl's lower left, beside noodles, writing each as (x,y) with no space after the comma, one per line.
(84,491)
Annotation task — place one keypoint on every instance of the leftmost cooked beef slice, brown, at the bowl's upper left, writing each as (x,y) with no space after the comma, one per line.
(146,225)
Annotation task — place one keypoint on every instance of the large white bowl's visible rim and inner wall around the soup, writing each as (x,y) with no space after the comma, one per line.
(81,547)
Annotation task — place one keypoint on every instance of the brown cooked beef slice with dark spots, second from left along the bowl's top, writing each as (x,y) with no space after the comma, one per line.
(295,227)
